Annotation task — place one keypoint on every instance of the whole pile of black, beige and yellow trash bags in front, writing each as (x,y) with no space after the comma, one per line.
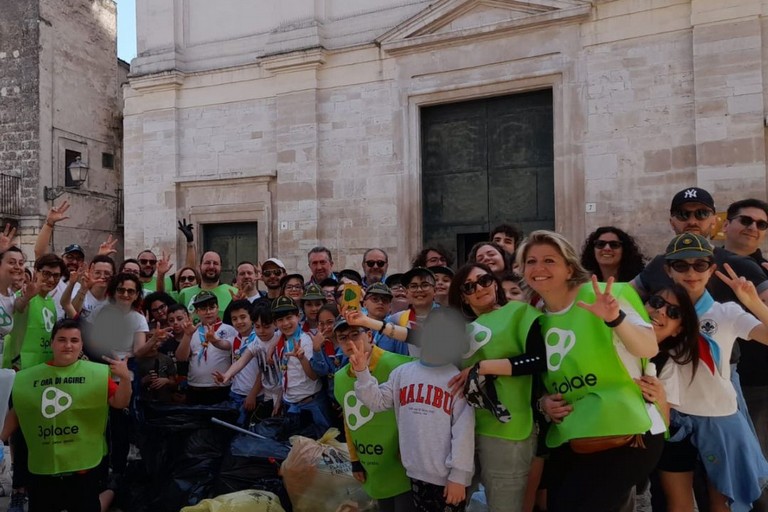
(191,455)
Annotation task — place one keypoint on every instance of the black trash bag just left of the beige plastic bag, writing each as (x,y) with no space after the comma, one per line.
(253,463)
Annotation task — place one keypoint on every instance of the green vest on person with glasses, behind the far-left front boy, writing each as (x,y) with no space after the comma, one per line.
(36,344)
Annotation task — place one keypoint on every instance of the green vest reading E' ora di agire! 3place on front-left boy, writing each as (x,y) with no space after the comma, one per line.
(63,415)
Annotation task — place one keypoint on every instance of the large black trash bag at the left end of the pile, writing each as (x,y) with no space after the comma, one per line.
(182,452)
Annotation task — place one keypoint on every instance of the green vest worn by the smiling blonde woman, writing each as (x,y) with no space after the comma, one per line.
(583,365)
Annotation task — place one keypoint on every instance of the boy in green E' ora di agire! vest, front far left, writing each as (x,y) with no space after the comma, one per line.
(61,407)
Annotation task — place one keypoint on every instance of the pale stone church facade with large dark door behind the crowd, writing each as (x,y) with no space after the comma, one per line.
(363,124)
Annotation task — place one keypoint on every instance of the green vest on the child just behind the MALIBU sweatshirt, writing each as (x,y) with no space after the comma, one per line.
(374,435)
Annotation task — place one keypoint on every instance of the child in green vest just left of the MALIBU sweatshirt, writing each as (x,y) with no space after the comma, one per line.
(372,438)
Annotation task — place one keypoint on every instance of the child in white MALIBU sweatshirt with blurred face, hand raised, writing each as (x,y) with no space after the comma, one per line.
(436,429)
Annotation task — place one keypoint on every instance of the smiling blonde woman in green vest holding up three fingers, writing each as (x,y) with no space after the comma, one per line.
(596,338)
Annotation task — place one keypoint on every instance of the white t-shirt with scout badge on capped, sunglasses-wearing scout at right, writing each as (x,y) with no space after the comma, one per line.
(711,393)
